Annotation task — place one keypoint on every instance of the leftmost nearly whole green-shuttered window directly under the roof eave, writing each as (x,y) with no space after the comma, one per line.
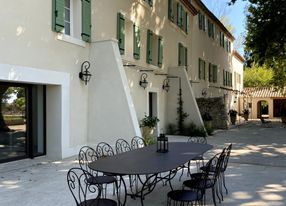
(178,15)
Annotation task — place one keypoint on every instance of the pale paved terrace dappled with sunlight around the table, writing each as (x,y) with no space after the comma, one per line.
(256,175)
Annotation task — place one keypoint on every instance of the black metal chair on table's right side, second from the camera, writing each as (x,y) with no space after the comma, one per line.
(212,169)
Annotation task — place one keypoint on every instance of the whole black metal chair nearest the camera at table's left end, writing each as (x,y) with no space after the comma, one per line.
(84,193)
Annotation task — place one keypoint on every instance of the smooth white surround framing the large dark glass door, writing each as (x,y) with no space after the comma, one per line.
(58,104)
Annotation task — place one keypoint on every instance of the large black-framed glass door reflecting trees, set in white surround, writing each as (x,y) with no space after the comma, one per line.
(22,122)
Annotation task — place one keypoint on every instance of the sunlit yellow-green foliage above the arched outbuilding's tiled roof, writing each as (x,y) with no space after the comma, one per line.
(258,76)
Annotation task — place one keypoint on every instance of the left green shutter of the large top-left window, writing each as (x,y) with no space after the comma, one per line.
(58,15)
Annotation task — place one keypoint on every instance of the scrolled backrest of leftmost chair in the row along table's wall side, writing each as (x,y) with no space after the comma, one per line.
(86,155)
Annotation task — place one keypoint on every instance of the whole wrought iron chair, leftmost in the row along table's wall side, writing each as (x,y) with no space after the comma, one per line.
(87,155)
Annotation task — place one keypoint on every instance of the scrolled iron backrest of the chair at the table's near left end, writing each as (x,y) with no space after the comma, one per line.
(77,183)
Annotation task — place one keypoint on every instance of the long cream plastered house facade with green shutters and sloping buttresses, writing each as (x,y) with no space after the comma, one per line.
(36,50)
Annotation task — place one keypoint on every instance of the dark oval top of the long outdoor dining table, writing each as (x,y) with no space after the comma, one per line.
(147,161)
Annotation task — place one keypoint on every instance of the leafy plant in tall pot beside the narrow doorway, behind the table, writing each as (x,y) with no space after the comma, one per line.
(147,124)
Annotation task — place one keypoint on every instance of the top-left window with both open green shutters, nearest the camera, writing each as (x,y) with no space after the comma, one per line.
(72,17)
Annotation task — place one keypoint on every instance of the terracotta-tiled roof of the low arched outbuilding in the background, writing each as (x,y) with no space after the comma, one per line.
(264,92)
